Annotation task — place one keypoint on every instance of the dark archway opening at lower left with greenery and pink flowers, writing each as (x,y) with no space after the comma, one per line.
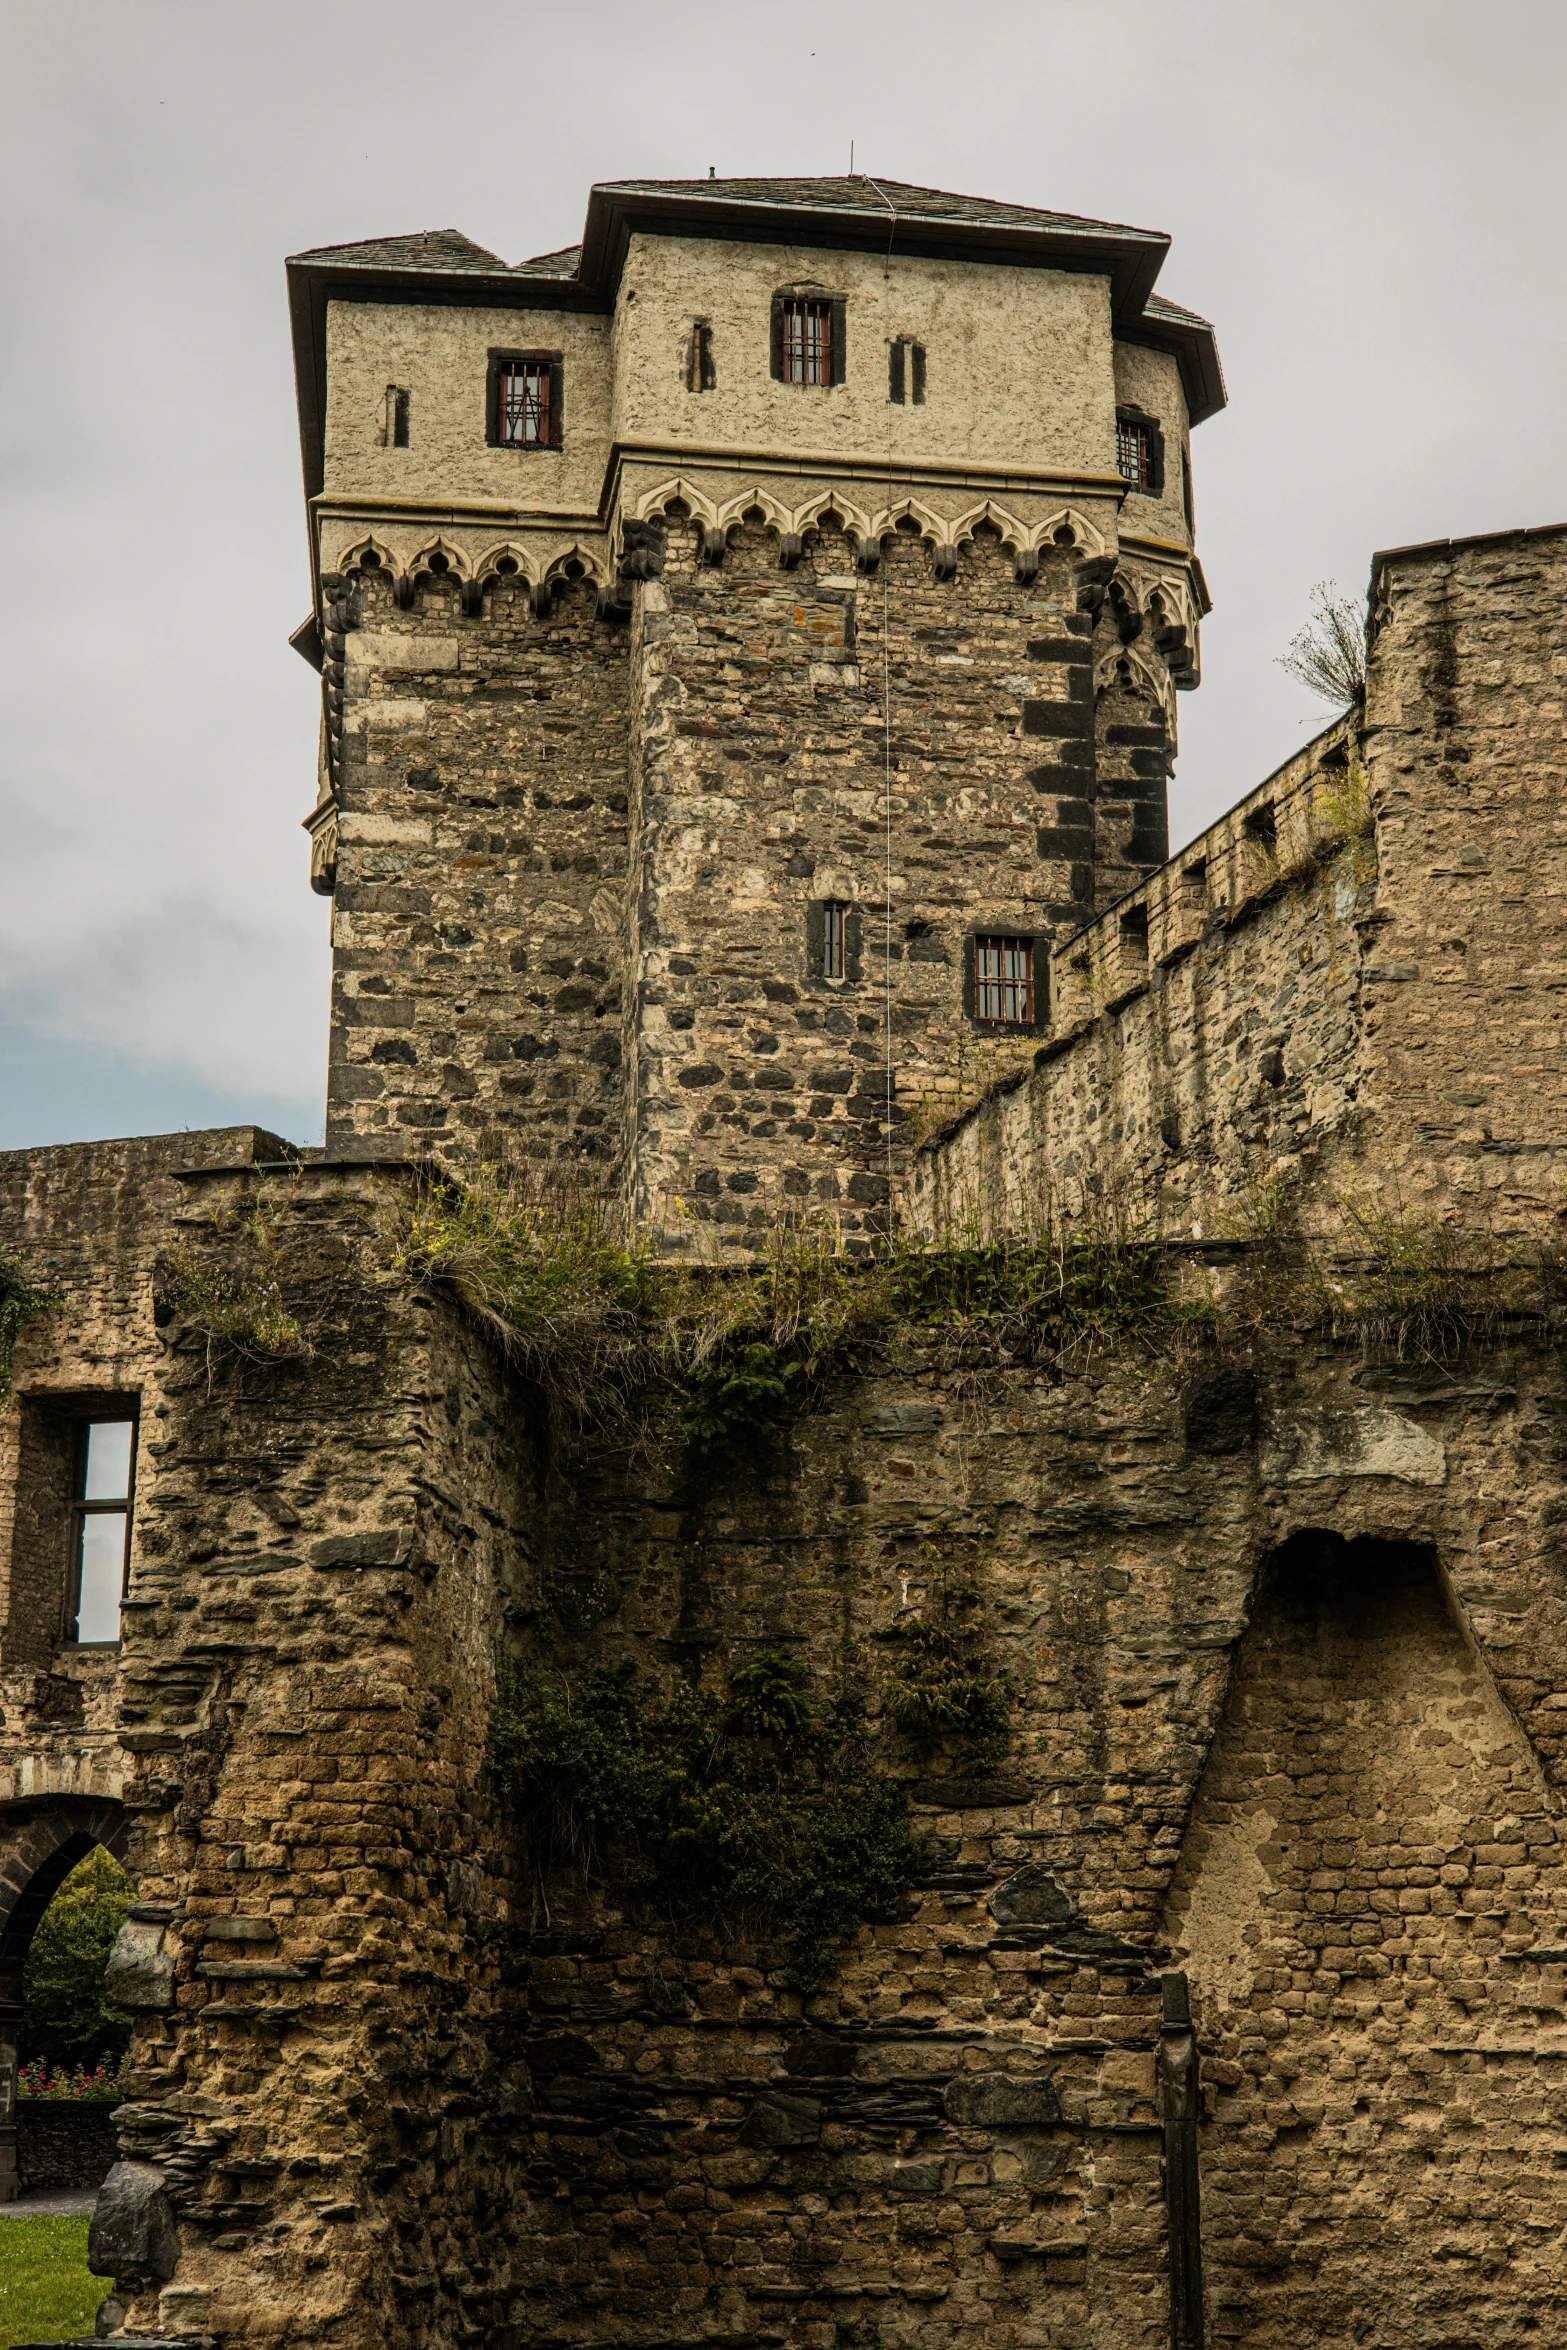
(43,1846)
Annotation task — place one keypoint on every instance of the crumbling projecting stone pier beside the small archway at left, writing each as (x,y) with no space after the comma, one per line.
(325,1559)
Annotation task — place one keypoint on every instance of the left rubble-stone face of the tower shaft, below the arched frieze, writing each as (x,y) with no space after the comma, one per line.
(480,904)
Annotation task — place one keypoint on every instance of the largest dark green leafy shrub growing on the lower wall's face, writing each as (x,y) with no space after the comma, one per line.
(755,1808)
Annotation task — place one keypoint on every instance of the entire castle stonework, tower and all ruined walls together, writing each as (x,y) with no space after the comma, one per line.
(678,765)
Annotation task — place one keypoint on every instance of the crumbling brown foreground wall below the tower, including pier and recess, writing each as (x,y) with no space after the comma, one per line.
(412,2095)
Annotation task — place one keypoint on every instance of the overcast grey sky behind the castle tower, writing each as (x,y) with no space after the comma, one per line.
(1366,196)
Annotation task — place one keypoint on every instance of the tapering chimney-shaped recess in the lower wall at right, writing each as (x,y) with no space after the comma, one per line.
(1368,1900)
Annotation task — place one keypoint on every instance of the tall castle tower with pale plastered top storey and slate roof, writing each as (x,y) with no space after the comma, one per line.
(748,640)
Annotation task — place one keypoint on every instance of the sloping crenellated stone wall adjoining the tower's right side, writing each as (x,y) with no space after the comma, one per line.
(1378,1012)
